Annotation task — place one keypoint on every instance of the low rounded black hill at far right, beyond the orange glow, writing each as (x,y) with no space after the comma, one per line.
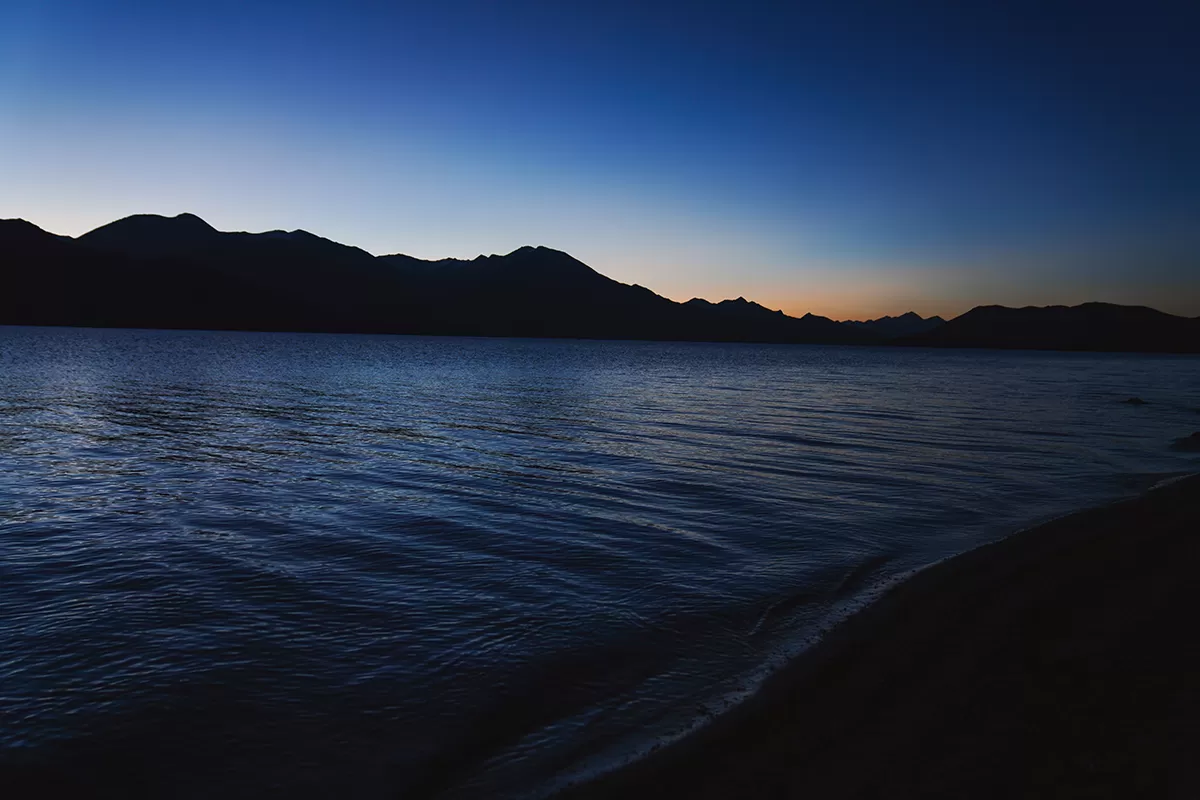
(1090,327)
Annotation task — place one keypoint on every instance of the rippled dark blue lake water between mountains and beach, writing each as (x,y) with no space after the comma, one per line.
(284,566)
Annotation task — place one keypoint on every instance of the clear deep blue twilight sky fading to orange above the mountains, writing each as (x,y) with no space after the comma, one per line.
(849,160)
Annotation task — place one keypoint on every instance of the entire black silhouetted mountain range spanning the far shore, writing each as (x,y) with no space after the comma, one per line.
(181,273)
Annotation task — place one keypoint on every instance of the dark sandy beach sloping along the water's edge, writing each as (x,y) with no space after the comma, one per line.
(1061,663)
